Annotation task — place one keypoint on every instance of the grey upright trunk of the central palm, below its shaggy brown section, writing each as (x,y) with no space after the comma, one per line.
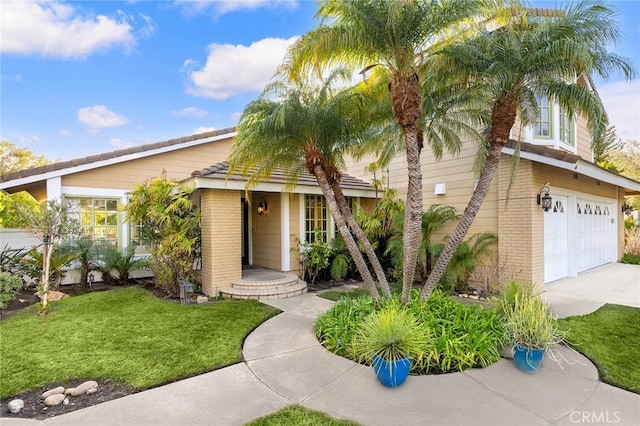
(413,212)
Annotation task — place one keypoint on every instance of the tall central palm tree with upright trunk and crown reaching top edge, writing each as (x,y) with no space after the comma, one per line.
(398,37)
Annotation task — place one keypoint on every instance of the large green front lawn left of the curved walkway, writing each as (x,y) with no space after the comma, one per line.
(126,335)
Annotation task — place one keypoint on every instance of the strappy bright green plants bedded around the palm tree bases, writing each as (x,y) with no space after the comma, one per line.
(463,336)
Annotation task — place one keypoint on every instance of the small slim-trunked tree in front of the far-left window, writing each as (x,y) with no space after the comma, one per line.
(50,223)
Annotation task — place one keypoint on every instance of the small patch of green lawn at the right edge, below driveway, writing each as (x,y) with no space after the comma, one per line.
(610,337)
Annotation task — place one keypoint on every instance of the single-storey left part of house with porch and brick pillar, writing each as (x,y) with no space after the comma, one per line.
(261,227)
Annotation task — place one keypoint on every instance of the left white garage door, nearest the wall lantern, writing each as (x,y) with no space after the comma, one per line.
(556,247)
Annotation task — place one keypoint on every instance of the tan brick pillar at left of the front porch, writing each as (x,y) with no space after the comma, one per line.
(221,239)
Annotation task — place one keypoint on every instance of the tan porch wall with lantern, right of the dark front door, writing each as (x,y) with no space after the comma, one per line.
(266,231)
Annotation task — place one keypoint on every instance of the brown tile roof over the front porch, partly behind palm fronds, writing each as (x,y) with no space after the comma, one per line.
(219,171)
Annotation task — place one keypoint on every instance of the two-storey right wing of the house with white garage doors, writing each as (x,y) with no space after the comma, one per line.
(583,228)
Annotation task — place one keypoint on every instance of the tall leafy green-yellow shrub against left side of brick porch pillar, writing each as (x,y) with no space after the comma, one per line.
(169,223)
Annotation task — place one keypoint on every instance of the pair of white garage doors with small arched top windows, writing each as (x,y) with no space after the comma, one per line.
(579,234)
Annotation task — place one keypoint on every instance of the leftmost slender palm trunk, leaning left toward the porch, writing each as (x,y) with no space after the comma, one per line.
(344,231)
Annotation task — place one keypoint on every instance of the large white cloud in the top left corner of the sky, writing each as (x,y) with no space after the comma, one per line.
(55,29)
